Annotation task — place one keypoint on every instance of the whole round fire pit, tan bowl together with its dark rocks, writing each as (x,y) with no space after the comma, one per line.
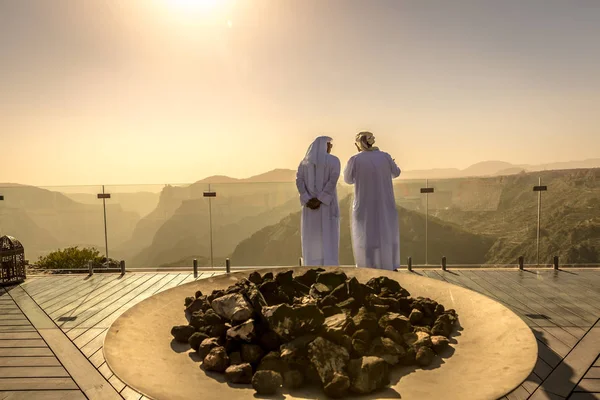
(305,338)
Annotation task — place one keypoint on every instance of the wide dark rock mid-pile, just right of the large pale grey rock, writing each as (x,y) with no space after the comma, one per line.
(292,322)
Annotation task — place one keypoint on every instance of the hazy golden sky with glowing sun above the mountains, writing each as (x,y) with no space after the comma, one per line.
(156,91)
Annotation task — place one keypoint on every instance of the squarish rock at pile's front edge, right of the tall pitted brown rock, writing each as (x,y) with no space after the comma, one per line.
(368,374)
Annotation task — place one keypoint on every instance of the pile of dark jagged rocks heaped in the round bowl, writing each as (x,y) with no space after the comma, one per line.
(320,328)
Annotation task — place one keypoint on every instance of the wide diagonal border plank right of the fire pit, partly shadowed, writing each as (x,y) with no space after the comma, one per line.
(565,376)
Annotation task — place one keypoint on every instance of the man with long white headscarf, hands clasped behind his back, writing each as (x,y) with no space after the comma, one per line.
(316,181)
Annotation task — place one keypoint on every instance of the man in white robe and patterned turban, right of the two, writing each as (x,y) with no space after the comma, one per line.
(374,223)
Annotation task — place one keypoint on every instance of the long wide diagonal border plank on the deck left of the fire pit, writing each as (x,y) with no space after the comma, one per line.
(81,370)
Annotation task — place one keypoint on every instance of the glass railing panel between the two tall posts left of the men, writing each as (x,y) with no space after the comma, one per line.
(158,226)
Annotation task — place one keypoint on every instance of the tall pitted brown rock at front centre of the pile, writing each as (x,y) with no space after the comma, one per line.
(328,358)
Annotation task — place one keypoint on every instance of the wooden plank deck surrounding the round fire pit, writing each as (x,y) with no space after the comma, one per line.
(52,329)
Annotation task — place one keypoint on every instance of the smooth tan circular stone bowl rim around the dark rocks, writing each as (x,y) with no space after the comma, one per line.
(493,350)
